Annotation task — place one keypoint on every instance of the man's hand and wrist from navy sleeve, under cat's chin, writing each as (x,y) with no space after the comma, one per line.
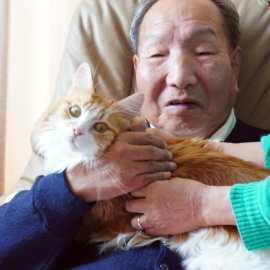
(133,161)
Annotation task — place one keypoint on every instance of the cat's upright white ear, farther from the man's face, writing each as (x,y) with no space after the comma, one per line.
(83,77)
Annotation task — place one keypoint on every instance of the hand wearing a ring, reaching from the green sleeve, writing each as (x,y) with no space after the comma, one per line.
(180,205)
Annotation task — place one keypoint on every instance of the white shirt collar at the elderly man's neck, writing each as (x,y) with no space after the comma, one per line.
(222,133)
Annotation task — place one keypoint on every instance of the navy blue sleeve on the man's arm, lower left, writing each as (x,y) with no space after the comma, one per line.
(37,227)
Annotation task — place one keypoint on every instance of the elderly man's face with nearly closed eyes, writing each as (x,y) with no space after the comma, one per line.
(185,68)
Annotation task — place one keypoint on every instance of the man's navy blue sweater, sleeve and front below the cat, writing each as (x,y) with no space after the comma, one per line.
(37,229)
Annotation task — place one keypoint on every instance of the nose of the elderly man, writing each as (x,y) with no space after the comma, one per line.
(181,71)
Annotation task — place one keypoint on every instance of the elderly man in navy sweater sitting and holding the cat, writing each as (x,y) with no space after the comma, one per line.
(187,64)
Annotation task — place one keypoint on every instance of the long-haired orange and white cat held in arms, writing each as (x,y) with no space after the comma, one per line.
(81,126)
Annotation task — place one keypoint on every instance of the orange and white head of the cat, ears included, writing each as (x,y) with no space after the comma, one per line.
(80,126)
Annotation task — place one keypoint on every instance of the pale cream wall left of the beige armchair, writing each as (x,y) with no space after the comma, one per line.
(37,30)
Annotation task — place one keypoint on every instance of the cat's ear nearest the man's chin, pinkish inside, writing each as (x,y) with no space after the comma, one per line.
(131,106)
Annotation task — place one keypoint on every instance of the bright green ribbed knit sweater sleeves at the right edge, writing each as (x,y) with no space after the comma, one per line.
(251,207)
